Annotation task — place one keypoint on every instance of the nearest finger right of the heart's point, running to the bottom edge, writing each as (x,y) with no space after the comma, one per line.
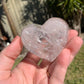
(60,68)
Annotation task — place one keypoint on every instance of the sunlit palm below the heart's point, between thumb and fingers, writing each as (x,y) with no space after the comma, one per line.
(27,72)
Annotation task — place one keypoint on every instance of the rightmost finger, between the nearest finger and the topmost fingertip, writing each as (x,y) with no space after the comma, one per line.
(74,46)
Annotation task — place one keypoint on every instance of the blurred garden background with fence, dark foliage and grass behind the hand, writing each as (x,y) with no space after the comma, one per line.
(16,14)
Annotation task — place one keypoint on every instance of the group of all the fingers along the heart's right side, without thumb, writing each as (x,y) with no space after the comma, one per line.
(65,58)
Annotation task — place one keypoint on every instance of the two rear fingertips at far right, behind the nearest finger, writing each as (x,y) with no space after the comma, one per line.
(74,43)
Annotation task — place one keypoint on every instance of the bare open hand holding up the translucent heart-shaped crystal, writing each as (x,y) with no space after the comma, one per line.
(27,71)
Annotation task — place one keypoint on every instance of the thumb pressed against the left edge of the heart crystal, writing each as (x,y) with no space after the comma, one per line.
(8,56)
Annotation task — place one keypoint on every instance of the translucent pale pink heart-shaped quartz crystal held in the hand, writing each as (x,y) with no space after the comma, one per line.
(47,40)
